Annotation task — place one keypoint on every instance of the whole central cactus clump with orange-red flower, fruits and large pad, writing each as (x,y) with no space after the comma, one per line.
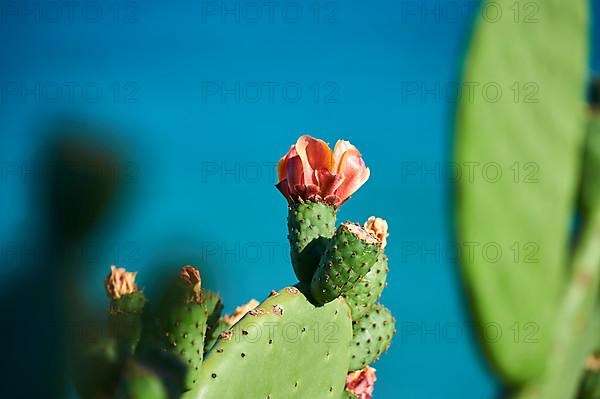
(315,339)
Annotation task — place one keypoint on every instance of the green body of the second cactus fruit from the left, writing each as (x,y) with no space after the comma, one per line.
(181,325)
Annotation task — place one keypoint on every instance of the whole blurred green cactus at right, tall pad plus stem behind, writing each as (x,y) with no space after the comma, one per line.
(528,136)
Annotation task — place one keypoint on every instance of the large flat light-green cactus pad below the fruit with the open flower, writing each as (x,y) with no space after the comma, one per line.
(285,348)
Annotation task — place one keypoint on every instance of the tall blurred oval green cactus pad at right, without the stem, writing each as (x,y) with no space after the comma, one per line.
(524,144)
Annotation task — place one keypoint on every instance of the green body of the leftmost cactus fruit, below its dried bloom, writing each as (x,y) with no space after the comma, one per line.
(125,320)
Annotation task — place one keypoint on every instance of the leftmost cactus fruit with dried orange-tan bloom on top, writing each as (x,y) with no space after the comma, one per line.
(125,309)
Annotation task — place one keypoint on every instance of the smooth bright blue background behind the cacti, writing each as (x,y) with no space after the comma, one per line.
(173,134)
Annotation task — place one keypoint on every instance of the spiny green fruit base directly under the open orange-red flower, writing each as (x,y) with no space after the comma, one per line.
(310,225)
